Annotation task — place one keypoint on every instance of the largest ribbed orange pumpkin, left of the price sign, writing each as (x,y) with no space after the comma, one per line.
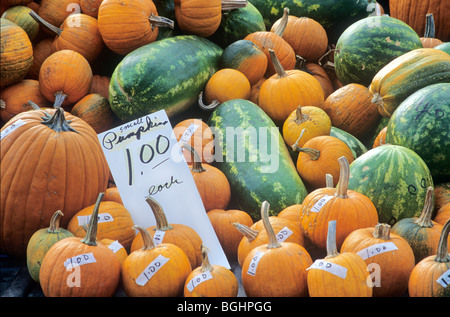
(67,175)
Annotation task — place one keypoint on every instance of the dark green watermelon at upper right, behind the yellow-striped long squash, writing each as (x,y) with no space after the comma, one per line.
(369,44)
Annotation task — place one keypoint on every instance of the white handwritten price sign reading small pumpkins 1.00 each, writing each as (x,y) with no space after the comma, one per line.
(145,159)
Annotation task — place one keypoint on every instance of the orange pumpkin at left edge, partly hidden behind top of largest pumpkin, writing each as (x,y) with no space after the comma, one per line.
(14,98)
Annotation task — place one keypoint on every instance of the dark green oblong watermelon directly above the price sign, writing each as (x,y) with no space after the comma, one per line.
(167,74)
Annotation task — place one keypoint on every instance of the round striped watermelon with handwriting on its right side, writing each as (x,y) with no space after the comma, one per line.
(395,178)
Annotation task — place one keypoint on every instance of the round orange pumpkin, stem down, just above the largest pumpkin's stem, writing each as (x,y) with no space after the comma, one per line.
(65,77)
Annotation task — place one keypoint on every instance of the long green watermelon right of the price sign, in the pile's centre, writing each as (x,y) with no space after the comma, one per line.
(251,152)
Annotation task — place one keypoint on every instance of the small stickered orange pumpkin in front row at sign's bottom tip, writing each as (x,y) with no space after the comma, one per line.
(210,280)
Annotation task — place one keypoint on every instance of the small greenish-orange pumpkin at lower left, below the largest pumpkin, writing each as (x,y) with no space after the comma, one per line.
(41,241)
